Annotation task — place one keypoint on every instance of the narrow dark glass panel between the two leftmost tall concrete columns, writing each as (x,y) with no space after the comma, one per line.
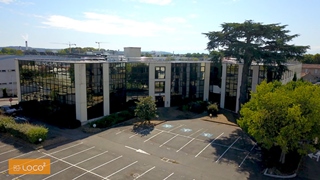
(94,82)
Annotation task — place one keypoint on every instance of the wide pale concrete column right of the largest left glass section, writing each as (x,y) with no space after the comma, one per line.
(81,92)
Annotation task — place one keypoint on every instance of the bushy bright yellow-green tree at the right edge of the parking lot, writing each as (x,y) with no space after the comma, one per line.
(286,116)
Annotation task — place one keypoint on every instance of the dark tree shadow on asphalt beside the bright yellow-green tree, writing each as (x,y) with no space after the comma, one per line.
(240,150)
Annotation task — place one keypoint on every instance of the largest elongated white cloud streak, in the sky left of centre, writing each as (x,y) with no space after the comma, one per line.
(107,24)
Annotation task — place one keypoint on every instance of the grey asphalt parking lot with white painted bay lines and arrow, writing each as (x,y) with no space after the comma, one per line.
(180,149)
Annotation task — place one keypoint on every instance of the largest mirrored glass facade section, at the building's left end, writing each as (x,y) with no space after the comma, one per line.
(49,87)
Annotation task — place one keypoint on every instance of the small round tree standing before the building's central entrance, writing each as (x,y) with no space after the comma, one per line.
(146,109)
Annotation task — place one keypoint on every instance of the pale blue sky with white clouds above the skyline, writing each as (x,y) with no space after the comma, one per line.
(160,25)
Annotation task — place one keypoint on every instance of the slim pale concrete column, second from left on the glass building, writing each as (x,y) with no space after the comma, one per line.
(106,91)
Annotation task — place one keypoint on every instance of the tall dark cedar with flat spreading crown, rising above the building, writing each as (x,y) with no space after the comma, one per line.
(251,41)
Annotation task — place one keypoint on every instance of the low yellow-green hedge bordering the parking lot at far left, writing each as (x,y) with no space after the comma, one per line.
(28,132)
